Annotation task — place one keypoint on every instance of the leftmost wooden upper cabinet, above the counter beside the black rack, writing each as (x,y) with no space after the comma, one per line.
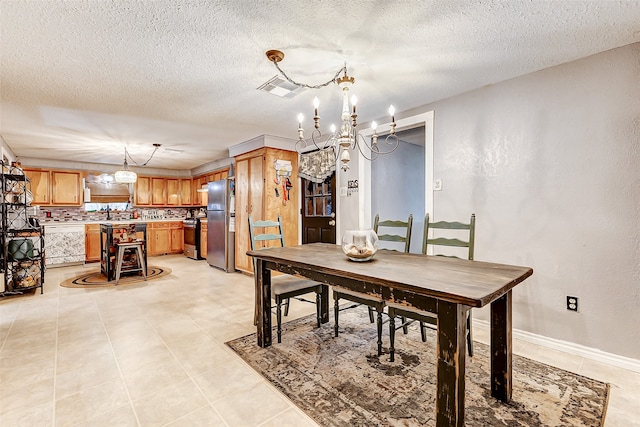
(55,188)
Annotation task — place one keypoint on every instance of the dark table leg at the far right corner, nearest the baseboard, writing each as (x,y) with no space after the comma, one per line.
(501,348)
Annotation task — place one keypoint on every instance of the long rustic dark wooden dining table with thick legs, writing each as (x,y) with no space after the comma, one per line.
(446,287)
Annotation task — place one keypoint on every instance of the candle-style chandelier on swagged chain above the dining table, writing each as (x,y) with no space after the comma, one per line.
(346,138)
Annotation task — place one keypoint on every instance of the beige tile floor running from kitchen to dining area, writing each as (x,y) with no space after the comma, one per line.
(153,355)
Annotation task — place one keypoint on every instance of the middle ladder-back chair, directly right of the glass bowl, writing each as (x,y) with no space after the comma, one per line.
(398,235)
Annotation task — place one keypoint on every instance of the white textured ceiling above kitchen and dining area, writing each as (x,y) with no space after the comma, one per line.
(82,79)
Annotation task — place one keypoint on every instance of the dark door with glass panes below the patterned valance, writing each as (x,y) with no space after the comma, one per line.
(318,211)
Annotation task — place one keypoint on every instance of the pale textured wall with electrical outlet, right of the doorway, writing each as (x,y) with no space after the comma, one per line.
(550,164)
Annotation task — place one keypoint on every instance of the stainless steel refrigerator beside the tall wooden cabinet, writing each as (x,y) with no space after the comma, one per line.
(221,225)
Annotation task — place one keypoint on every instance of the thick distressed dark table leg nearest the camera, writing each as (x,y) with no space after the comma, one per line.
(451,364)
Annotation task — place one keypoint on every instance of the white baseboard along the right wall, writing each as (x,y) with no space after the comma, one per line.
(571,348)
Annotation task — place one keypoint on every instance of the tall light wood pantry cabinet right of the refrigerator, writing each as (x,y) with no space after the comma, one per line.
(256,196)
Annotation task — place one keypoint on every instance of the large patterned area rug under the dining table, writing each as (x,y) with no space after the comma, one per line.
(342,381)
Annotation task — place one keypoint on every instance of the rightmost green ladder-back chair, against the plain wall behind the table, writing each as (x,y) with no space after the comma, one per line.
(464,238)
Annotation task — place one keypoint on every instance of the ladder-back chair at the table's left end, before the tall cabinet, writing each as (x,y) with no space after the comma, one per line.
(283,287)
